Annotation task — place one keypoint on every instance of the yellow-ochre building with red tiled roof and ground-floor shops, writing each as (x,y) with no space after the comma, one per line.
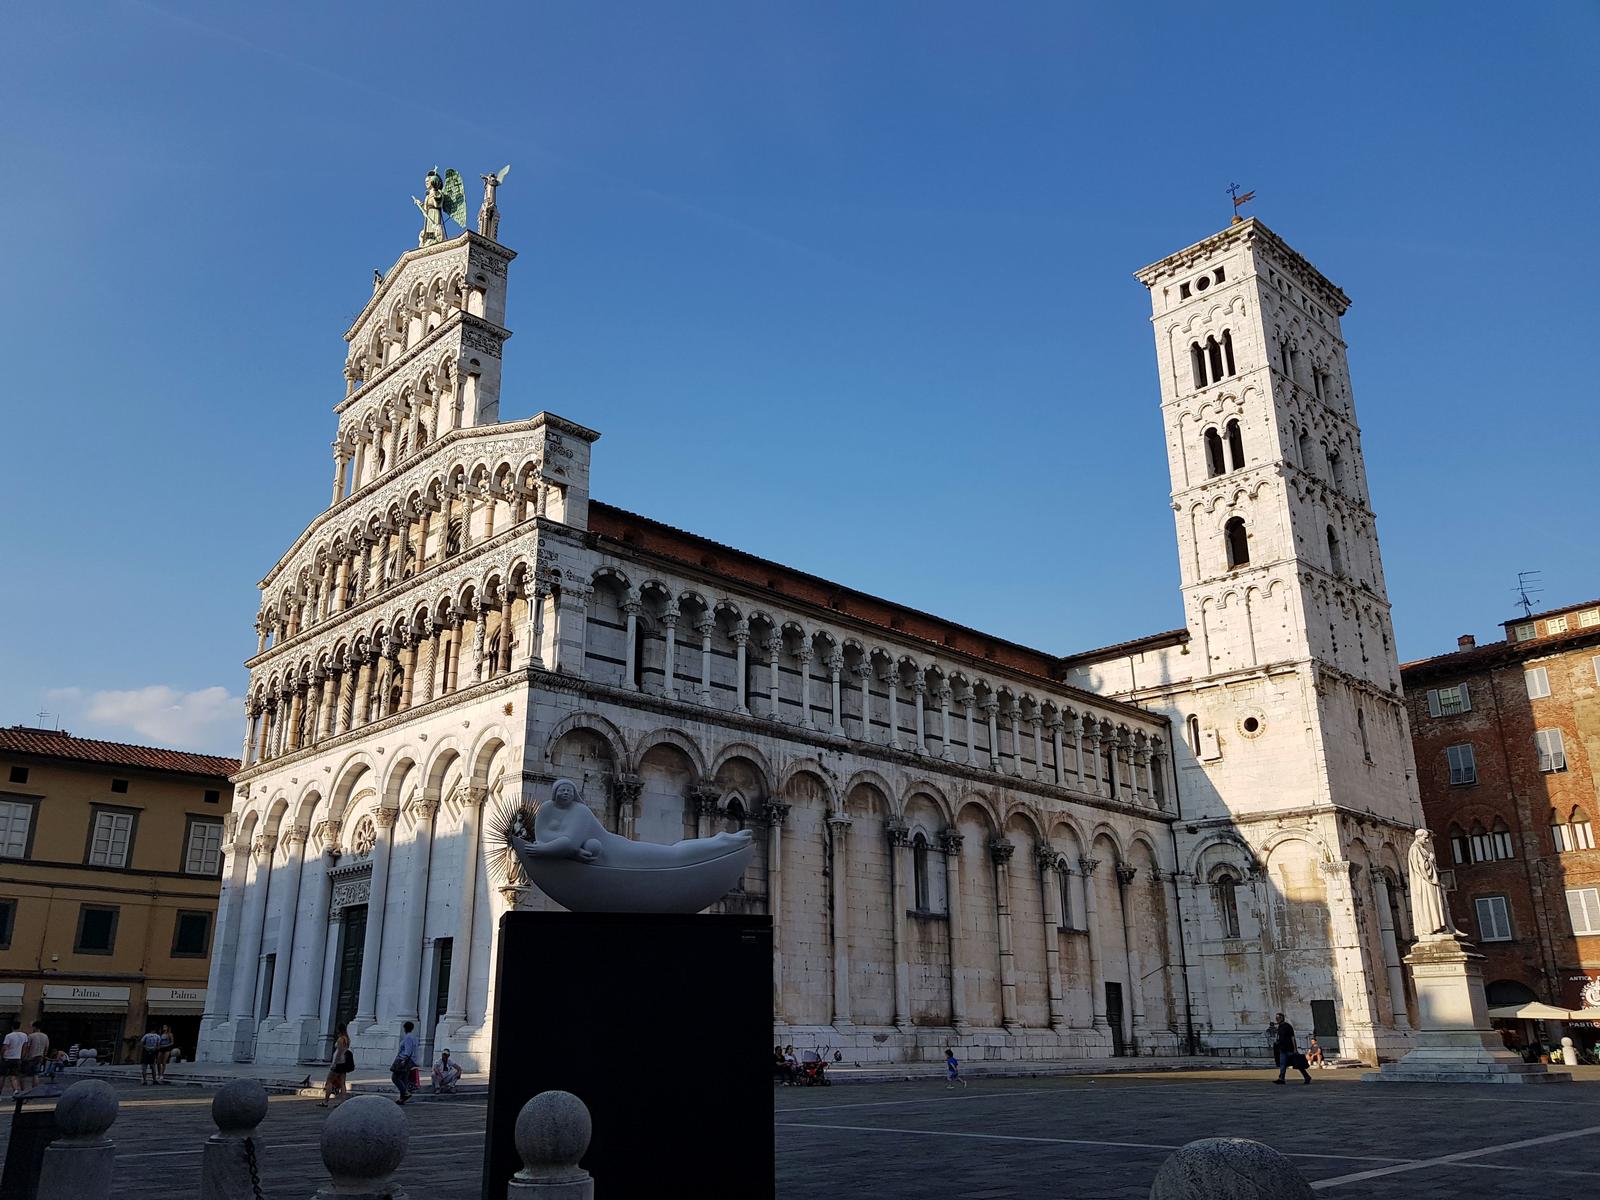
(110,866)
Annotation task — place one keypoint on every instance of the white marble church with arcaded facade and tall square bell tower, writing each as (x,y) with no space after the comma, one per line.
(961,841)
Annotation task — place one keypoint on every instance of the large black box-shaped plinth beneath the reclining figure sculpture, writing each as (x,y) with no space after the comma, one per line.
(662,1025)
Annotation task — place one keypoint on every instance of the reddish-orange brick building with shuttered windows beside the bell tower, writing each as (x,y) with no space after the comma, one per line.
(1506,740)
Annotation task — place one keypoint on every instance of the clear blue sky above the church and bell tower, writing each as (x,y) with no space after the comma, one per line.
(844,286)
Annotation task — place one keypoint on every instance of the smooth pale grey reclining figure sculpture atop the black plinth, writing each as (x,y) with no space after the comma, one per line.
(586,868)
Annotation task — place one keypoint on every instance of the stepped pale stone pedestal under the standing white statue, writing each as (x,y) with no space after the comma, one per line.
(1455,1042)
